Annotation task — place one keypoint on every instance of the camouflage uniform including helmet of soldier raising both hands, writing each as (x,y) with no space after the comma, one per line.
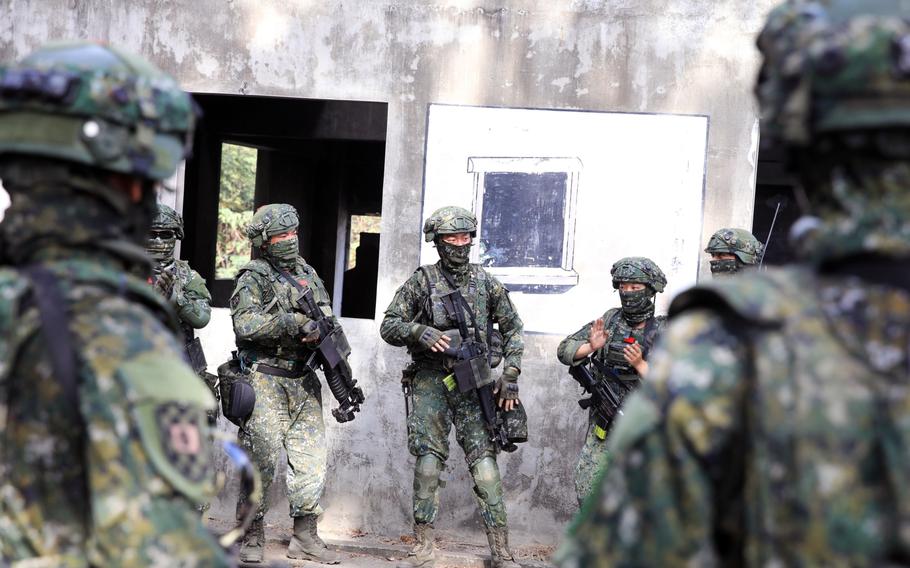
(594,455)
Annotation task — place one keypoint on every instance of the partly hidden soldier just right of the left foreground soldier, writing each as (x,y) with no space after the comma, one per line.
(182,287)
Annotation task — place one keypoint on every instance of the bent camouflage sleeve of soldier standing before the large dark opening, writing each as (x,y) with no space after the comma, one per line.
(253,320)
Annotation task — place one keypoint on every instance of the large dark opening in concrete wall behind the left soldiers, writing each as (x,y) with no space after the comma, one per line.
(325,158)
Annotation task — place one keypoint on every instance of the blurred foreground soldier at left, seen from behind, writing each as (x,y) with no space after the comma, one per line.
(104,445)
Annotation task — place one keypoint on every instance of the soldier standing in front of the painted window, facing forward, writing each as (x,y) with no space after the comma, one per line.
(416,318)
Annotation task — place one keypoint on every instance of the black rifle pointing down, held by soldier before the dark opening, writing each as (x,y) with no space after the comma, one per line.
(331,356)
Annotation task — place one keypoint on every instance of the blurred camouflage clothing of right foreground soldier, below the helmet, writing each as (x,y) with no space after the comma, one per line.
(775,437)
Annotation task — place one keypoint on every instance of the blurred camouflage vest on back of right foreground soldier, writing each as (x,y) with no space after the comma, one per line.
(822,459)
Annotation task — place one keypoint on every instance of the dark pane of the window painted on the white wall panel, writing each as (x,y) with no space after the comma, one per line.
(523,220)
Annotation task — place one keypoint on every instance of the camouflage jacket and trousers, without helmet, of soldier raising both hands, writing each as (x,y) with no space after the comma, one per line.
(594,455)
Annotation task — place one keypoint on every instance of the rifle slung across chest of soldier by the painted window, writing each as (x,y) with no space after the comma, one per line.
(472,370)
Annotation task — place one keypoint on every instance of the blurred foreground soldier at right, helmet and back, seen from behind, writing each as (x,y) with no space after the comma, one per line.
(774,429)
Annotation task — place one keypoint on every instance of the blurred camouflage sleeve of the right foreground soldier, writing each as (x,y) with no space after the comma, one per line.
(655,504)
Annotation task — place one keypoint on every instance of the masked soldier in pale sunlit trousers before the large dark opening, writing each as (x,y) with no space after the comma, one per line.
(273,339)
